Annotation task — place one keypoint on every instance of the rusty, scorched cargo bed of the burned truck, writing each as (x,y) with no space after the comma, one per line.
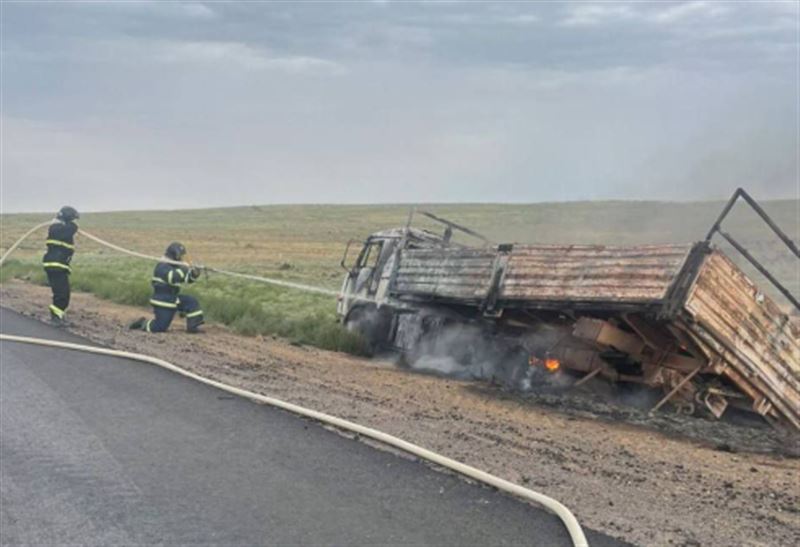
(693,290)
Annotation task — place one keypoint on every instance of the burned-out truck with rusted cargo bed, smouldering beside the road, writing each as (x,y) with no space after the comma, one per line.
(682,318)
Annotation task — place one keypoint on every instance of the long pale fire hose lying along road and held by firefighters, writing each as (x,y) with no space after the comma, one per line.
(570,522)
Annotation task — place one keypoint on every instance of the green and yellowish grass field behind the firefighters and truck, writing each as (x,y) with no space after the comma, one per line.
(305,243)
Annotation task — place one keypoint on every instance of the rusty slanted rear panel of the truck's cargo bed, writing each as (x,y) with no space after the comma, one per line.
(750,332)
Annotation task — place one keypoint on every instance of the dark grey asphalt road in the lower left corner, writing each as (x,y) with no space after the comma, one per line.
(97,450)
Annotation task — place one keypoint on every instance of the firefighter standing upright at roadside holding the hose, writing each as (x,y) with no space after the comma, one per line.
(56,261)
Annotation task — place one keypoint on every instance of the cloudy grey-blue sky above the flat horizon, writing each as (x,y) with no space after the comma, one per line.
(140,105)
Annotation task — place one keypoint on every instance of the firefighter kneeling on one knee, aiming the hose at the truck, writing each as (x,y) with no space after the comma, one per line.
(167,300)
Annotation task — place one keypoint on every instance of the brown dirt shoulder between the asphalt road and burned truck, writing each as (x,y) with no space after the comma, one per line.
(652,481)
